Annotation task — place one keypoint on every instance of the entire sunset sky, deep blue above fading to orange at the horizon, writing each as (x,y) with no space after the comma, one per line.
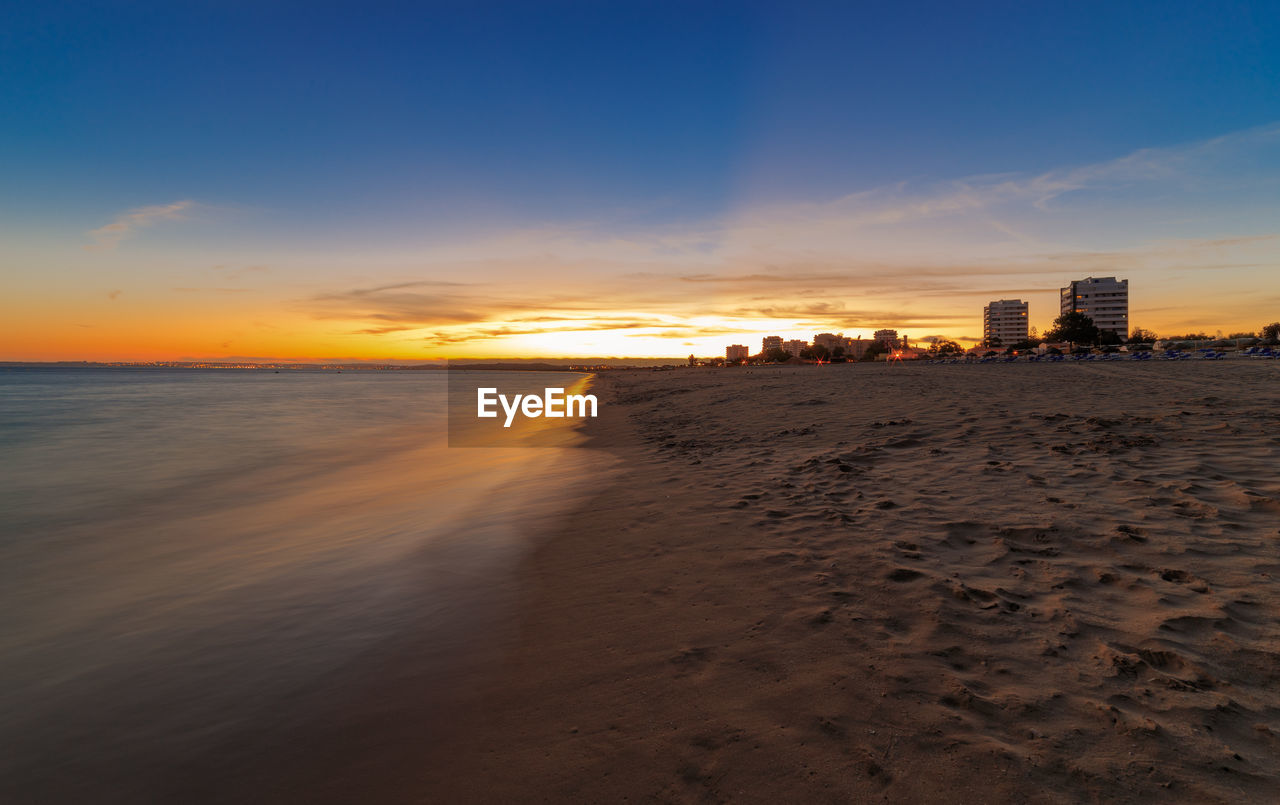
(469,180)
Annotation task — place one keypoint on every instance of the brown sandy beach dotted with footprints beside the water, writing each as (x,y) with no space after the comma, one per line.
(1025,583)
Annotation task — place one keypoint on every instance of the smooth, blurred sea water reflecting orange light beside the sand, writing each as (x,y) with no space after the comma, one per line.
(200,570)
